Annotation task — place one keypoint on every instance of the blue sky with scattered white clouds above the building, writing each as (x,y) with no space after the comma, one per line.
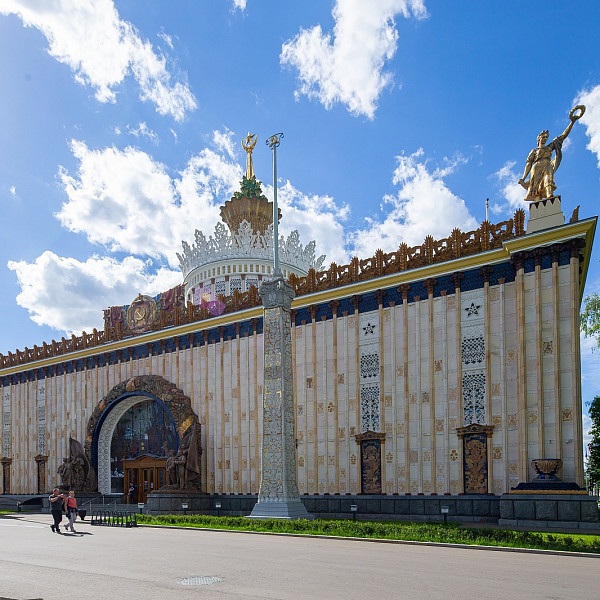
(121,122)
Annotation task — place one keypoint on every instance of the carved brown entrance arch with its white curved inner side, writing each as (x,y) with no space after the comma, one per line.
(115,404)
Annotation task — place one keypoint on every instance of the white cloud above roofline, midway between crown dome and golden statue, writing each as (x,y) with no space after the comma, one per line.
(422,206)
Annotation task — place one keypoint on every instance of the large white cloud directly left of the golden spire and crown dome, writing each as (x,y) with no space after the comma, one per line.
(128,202)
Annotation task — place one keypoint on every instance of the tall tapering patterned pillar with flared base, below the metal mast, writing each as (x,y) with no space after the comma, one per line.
(278,497)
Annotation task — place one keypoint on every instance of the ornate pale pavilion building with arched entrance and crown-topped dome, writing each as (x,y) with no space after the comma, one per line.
(443,368)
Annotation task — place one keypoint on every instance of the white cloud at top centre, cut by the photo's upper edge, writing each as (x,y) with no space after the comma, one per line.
(348,66)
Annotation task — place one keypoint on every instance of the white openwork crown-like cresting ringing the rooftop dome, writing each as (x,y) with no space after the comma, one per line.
(247,243)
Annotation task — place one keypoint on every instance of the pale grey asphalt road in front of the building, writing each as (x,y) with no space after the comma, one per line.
(146,563)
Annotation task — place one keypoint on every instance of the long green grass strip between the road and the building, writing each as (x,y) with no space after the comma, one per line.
(391,530)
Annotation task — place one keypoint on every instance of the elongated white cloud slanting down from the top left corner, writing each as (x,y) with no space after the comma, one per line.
(102,50)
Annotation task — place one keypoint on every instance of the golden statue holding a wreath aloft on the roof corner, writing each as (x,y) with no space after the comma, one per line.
(541,166)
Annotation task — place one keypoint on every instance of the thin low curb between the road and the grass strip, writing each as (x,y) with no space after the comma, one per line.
(385,541)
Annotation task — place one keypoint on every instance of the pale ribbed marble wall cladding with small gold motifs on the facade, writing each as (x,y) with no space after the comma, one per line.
(371,371)
